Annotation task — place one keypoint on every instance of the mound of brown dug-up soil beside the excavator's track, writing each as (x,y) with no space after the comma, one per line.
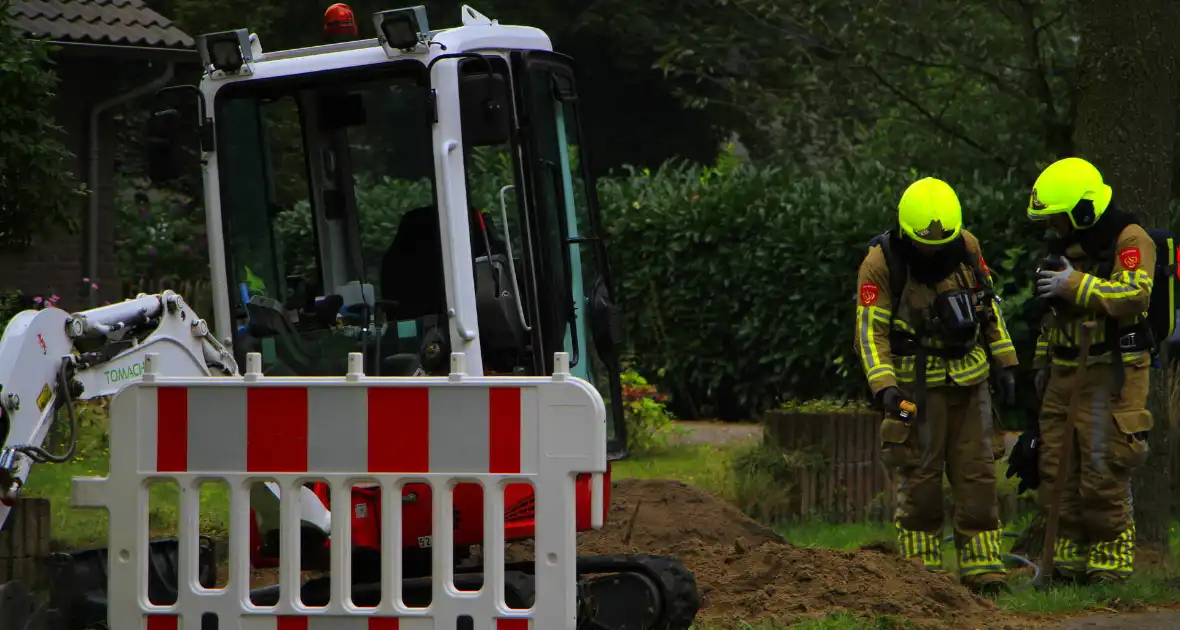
(749,574)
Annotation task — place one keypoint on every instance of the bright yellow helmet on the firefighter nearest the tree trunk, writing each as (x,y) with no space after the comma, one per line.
(1071,186)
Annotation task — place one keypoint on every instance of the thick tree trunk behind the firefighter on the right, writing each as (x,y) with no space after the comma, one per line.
(1126,127)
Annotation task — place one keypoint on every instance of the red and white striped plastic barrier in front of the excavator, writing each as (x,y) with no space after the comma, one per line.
(491,431)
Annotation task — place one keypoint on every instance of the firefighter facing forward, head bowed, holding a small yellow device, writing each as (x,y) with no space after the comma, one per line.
(928,331)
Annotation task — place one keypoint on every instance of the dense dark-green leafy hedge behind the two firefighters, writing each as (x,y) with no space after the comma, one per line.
(740,283)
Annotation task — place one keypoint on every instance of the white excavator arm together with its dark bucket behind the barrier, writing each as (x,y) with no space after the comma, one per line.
(49,359)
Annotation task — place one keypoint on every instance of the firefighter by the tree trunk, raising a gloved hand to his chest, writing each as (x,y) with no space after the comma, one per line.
(1104,274)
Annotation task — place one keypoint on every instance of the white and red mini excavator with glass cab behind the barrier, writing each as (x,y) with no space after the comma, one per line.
(404,196)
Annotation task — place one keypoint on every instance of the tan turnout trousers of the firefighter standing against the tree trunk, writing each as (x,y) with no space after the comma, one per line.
(1097,531)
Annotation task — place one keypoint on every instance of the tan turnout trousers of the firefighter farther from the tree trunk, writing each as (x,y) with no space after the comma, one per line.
(955,436)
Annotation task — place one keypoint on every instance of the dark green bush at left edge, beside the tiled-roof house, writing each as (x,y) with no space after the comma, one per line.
(38,193)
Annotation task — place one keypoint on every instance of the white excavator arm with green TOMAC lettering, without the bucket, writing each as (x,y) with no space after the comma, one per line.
(50,358)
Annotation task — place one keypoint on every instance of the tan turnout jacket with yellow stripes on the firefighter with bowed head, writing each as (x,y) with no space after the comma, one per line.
(884,321)
